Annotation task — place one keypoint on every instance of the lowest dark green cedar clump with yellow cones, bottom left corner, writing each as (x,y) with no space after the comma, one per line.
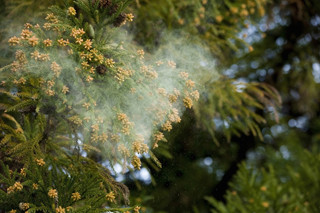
(40,179)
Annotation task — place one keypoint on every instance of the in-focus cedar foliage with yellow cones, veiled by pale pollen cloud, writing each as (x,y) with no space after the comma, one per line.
(54,106)
